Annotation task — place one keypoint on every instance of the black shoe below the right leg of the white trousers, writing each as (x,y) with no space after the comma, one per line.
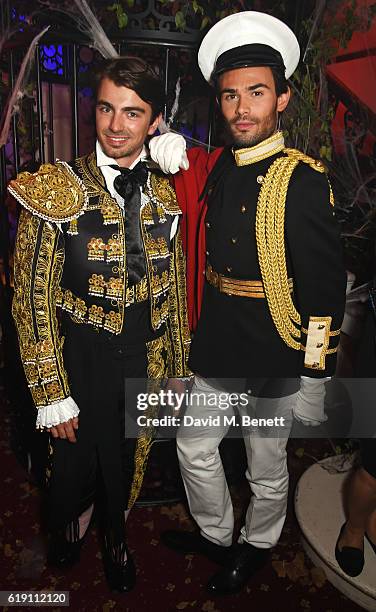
(245,561)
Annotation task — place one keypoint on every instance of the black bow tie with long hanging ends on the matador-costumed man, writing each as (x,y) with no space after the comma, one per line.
(128,184)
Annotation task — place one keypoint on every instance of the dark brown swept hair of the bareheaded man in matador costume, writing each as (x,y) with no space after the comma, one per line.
(134,73)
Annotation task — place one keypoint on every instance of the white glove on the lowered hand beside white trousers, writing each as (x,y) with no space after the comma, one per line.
(309,407)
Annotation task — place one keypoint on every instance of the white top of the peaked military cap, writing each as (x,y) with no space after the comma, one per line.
(248,28)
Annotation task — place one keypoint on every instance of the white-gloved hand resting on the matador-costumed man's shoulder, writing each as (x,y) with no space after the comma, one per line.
(169,152)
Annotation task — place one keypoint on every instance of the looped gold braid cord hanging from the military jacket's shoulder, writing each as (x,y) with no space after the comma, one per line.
(270,223)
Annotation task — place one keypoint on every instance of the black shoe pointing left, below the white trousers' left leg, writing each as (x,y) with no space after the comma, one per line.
(193,542)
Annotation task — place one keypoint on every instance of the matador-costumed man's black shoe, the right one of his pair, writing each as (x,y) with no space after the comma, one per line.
(120,575)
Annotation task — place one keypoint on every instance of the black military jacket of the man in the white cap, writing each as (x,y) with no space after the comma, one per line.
(236,335)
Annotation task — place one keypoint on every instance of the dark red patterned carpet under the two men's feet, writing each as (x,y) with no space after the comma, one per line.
(166,580)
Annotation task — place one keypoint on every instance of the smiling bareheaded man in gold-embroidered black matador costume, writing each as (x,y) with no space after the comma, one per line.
(98,239)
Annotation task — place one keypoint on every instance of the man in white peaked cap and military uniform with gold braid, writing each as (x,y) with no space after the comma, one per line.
(266,288)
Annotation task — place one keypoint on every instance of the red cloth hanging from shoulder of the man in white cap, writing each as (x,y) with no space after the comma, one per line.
(189,185)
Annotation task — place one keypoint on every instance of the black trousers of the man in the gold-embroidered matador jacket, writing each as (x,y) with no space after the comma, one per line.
(97,366)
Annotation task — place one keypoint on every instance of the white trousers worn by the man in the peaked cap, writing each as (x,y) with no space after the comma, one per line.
(204,478)
